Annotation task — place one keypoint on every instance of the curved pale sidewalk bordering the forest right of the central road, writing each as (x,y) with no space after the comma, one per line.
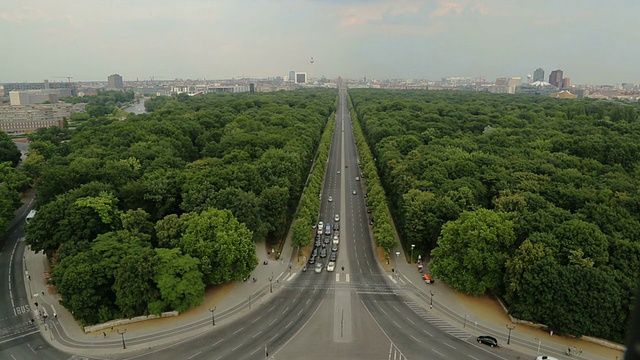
(486,316)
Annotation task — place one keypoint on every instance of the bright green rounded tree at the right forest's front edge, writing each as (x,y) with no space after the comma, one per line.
(472,251)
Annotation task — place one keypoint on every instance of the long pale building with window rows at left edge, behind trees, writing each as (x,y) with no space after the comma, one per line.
(22,119)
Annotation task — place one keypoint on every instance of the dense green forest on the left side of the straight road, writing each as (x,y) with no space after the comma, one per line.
(139,216)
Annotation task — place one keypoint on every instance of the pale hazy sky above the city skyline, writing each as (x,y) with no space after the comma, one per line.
(593,41)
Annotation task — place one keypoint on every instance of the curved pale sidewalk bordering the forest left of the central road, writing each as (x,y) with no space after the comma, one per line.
(229,301)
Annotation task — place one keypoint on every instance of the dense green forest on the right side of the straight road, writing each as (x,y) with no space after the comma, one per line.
(533,199)
